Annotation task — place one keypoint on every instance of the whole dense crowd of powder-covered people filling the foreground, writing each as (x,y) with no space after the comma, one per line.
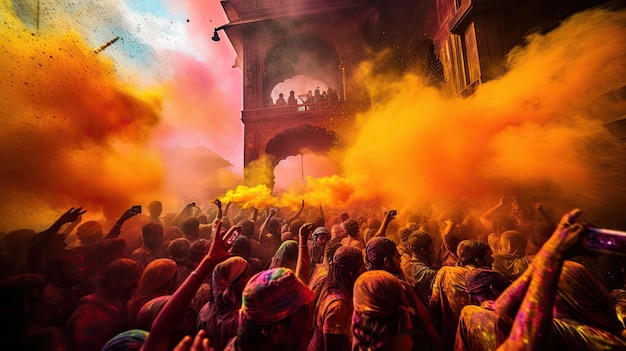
(316,279)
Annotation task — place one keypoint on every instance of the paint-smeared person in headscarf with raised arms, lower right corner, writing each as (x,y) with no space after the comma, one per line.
(564,307)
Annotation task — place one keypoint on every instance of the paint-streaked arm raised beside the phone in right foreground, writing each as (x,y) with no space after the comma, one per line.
(532,328)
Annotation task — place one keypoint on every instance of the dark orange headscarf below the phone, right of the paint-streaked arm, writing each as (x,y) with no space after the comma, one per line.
(581,297)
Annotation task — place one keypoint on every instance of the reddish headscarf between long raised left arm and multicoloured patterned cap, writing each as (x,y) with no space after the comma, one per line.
(224,274)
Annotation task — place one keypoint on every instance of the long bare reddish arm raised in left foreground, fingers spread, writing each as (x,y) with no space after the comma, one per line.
(174,309)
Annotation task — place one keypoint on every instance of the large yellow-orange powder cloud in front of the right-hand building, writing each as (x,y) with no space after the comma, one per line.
(539,130)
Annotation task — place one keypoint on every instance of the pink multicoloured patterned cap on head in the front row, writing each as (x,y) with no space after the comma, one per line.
(272,295)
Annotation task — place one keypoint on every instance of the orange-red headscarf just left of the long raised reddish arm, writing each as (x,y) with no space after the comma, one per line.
(152,283)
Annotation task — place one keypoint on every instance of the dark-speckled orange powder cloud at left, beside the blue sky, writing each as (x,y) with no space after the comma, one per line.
(73,135)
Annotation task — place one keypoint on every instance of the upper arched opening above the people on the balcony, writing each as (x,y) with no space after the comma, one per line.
(300,54)
